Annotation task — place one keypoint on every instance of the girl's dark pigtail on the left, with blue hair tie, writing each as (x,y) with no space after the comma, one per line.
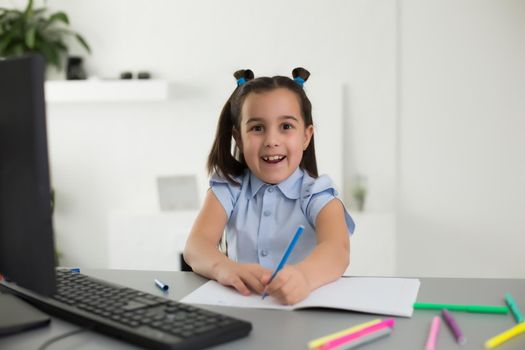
(220,159)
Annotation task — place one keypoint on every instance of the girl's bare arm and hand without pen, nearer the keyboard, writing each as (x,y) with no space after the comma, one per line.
(203,255)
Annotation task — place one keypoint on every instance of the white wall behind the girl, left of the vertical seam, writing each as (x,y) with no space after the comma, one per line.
(105,157)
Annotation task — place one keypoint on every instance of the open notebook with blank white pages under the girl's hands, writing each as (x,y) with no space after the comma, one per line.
(375,295)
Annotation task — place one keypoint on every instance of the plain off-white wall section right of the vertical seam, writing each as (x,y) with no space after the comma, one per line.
(462,127)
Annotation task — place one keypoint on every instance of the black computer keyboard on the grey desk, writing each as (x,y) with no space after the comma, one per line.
(140,318)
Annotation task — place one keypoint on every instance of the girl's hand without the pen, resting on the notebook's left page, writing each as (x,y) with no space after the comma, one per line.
(243,277)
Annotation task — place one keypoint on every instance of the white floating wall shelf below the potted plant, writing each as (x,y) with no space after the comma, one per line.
(106,90)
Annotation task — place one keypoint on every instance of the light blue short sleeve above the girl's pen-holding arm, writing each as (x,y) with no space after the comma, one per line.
(316,195)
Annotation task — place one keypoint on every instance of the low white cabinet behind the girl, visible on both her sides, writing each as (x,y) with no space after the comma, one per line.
(154,241)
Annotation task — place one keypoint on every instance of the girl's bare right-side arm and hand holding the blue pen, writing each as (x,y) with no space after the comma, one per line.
(327,262)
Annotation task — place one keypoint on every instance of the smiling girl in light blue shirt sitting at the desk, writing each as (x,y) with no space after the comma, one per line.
(263,191)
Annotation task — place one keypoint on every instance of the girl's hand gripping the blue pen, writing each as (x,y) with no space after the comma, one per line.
(289,286)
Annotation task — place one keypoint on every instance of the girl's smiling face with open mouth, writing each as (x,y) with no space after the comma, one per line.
(273,135)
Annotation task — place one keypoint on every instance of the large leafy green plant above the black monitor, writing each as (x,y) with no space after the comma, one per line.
(33,31)
